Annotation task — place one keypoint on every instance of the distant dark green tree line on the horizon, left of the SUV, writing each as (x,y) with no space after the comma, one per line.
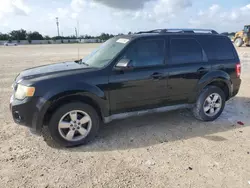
(24,35)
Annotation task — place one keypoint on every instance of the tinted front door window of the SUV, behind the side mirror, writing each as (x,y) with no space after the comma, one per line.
(146,53)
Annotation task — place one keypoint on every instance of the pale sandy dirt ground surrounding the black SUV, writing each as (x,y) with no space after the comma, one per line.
(163,150)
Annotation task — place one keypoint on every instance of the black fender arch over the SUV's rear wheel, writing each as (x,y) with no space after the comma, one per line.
(213,76)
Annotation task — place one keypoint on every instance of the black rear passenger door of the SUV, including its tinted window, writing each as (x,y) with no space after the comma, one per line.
(188,63)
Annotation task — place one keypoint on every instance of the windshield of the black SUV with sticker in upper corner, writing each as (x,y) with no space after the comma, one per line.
(105,53)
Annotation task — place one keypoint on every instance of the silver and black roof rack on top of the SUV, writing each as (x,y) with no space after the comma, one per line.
(180,31)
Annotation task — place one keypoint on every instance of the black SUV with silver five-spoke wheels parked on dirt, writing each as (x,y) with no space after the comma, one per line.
(151,71)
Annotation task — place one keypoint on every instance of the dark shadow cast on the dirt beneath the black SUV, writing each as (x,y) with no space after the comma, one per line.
(154,129)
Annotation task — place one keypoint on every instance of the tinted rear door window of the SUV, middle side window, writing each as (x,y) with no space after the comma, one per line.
(185,51)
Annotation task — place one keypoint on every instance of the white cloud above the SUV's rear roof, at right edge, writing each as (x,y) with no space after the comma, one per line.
(218,18)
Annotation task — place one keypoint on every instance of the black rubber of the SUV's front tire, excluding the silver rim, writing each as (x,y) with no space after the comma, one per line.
(53,124)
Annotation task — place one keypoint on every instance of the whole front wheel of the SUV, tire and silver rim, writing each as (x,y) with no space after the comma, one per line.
(63,135)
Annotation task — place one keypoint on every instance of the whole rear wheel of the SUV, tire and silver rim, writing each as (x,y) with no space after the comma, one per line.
(202,104)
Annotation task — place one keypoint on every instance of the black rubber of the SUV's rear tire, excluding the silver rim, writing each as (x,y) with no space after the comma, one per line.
(198,110)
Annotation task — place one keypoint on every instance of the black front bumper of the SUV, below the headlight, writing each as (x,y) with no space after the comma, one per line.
(27,113)
